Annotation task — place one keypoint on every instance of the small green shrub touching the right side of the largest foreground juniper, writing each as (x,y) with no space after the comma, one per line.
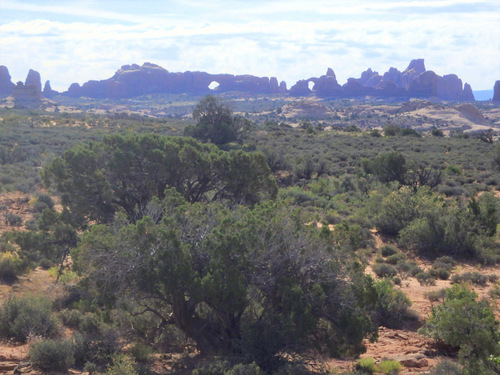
(392,305)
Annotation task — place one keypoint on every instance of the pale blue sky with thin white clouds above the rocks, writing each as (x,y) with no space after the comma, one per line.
(70,41)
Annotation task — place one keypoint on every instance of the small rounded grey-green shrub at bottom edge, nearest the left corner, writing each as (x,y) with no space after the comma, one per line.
(52,355)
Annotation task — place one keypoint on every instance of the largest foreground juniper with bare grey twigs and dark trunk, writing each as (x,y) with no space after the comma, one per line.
(236,280)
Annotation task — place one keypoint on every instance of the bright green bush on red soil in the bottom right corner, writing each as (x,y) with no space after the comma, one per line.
(465,323)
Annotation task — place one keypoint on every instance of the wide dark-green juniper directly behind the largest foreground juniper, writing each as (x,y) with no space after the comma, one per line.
(125,172)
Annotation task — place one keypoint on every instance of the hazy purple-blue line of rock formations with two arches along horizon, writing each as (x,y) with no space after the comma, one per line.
(135,80)
